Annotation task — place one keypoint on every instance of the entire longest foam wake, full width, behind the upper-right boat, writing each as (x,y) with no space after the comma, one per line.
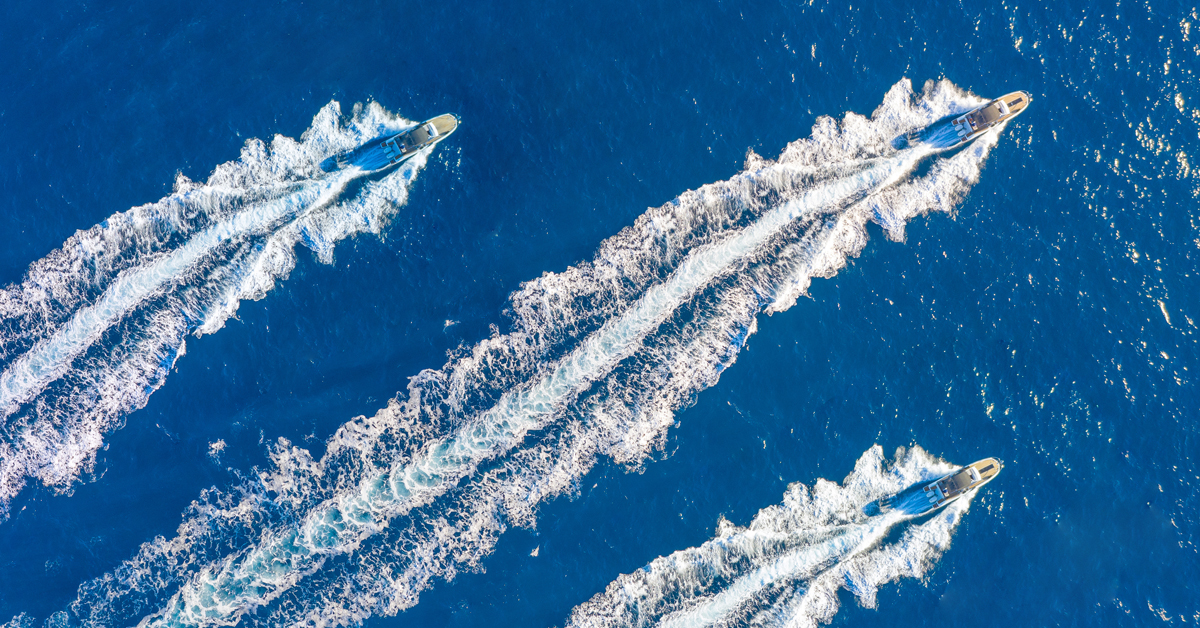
(598,362)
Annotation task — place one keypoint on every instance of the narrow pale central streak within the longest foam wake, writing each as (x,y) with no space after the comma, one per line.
(341,525)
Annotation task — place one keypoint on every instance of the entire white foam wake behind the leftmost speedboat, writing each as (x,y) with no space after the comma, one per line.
(161,272)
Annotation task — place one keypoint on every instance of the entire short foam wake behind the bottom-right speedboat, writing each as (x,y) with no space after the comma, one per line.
(785,569)
